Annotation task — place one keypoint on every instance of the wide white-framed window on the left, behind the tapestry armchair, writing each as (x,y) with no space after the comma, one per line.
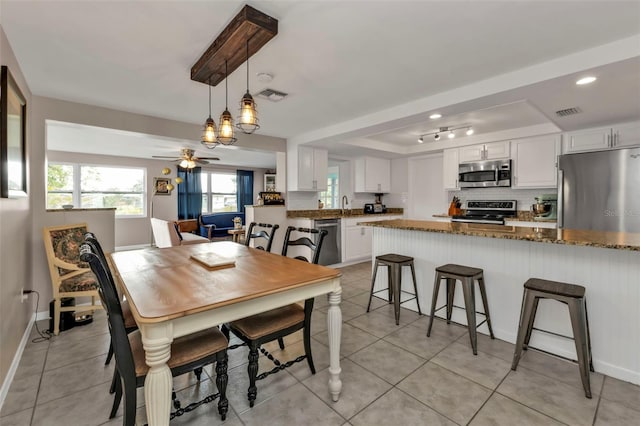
(97,187)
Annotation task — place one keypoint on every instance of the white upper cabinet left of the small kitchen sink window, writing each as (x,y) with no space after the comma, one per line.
(309,172)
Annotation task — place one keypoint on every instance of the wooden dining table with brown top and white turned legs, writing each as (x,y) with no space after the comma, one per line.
(172,295)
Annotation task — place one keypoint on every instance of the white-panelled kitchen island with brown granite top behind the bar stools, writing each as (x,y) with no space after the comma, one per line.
(606,263)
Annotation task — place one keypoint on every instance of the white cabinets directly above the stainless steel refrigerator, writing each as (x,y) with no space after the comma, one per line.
(602,138)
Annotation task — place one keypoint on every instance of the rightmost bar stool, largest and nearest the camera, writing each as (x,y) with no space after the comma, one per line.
(573,296)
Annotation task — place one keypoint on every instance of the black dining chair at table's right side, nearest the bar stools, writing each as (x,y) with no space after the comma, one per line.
(277,323)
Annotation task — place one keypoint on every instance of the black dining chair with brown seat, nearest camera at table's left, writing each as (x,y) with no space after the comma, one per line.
(187,353)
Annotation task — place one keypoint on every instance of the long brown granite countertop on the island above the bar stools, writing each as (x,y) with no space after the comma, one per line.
(612,240)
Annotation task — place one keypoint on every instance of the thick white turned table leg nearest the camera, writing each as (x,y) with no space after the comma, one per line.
(158,384)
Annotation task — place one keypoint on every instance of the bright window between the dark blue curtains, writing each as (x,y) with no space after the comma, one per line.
(219,192)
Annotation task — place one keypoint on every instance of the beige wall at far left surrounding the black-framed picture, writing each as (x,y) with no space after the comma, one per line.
(15,237)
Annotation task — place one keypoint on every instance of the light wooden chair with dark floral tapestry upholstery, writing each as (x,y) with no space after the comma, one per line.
(70,277)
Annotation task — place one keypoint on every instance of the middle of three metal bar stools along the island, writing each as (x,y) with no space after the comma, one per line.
(466,275)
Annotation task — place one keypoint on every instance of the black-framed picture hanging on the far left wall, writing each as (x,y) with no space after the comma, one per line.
(13,130)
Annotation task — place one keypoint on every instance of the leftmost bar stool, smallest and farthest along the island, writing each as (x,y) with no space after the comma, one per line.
(394,262)
